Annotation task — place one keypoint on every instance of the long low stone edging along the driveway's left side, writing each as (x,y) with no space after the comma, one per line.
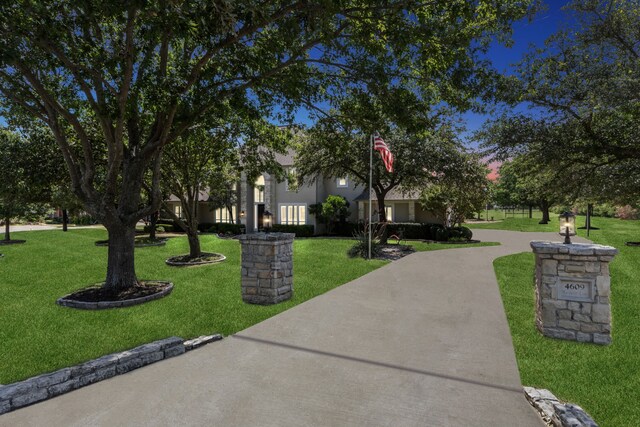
(46,386)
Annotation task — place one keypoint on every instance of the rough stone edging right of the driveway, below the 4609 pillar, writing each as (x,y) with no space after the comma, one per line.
(557,414)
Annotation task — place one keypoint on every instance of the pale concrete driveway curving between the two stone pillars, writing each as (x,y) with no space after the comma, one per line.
(423,341)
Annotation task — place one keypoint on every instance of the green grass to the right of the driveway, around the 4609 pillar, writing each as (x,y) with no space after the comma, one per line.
(604,380)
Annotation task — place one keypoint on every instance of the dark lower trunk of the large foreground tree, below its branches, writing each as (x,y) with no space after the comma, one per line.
(121,272)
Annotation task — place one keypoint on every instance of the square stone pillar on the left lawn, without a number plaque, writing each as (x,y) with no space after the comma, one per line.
(267,267)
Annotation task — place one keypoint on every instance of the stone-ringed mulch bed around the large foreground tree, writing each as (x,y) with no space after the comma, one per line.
(97,297)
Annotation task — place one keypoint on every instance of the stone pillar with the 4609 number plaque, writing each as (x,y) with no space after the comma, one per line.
(572,291)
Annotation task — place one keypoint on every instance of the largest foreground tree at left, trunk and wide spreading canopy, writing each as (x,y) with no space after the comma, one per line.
(118,81)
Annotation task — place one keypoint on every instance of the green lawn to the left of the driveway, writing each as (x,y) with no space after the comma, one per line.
(39,336)
